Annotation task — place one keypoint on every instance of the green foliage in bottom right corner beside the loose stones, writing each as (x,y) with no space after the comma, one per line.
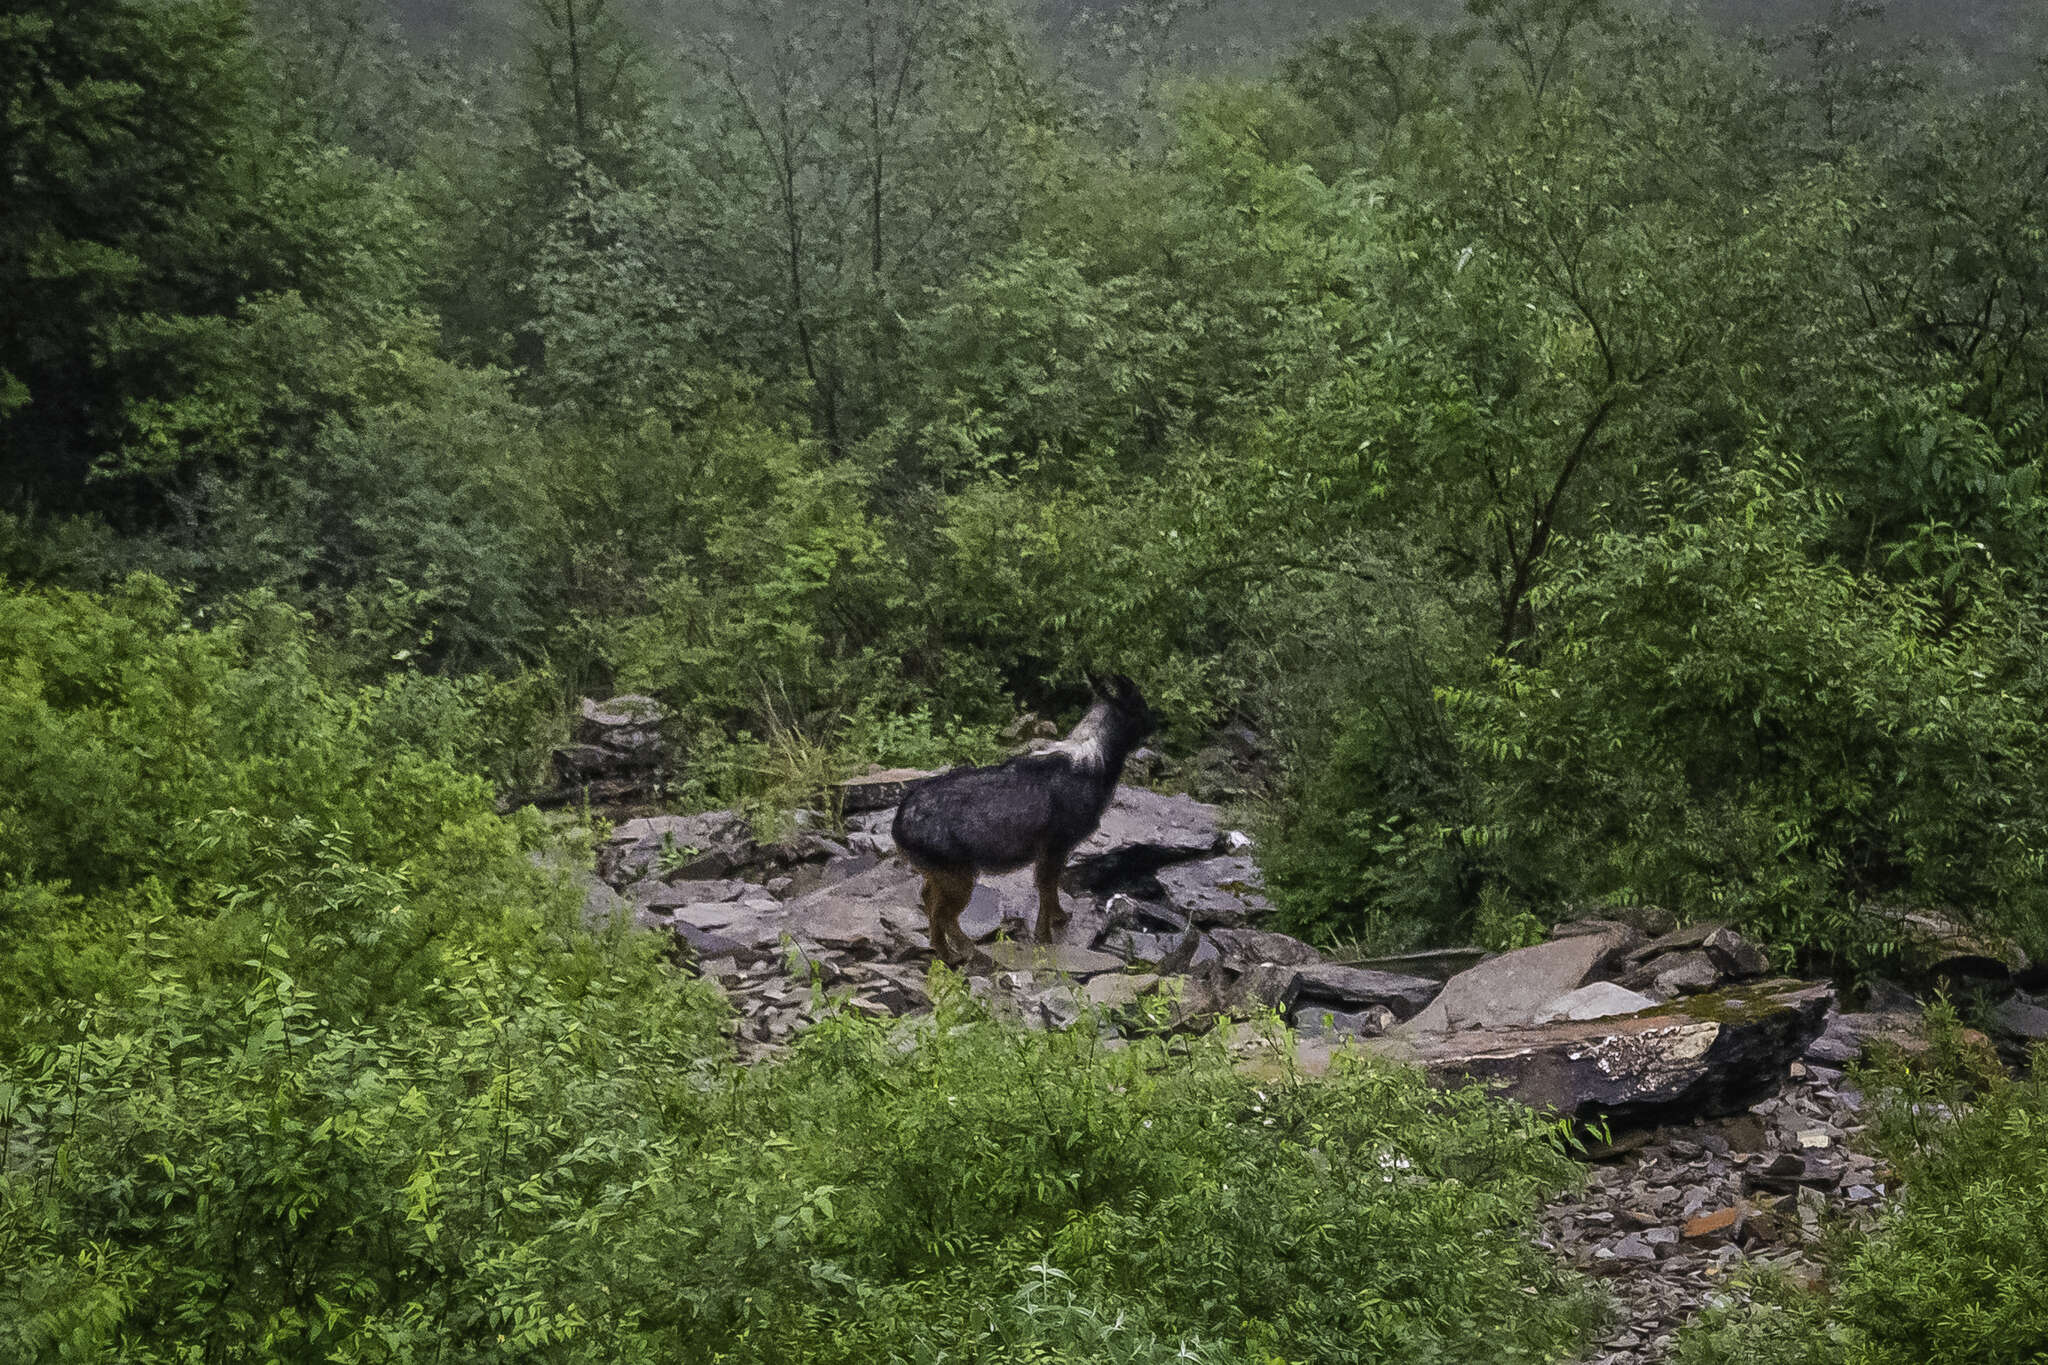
(1959,1268)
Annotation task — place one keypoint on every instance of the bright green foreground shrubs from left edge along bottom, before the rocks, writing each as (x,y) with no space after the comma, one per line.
(304,1057)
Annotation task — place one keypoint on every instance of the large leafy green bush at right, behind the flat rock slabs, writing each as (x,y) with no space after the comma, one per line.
(1727,725)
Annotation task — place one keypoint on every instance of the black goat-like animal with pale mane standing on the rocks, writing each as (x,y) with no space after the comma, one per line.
(1035,809)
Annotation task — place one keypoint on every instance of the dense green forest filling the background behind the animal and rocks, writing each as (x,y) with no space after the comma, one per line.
(1603,453)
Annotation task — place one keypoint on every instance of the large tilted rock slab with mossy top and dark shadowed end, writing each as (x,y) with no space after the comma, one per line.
(1707,1055)
